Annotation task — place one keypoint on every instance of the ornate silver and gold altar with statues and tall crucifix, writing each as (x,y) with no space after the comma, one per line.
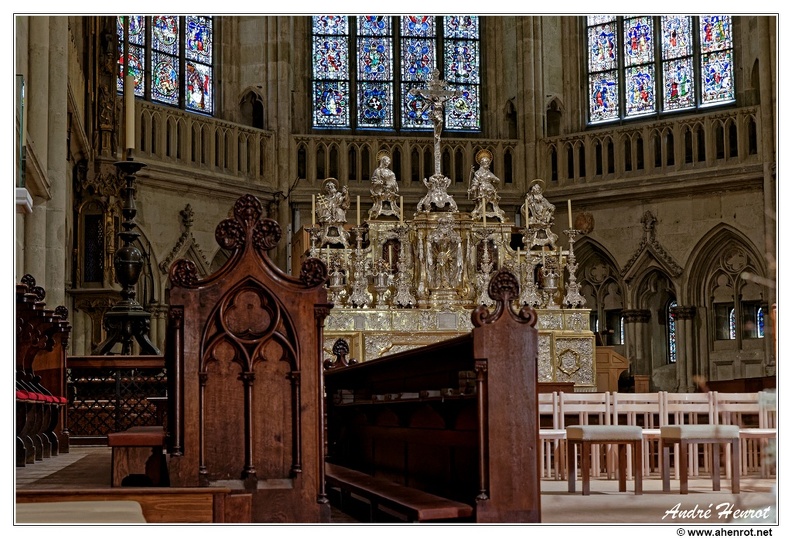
(399,284)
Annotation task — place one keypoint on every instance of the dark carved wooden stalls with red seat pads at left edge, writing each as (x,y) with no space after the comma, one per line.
(42,337)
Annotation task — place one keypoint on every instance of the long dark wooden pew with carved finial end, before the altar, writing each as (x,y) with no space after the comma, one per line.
(454,421)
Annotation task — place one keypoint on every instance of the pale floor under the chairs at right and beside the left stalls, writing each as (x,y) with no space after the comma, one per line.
(605,505)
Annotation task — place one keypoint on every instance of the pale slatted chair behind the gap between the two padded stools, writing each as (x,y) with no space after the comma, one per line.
(643,410)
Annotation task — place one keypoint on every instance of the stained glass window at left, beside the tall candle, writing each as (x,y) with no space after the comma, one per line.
(170,58)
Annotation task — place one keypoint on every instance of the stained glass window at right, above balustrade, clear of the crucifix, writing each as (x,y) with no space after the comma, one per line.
(641,65)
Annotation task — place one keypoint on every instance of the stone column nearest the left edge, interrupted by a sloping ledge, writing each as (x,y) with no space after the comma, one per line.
(37,101)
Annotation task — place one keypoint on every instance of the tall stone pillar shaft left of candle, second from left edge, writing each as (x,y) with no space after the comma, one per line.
(57,162)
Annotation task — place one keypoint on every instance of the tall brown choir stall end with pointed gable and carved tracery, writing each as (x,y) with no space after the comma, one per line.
(243,349)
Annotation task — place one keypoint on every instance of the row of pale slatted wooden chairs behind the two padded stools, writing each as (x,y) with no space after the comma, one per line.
(754,413)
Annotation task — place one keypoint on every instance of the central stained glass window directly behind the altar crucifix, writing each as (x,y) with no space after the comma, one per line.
(364,68)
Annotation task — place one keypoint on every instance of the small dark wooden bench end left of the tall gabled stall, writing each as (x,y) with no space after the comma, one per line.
(138,458)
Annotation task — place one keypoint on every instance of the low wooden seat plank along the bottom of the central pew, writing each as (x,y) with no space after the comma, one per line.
(414,505)
